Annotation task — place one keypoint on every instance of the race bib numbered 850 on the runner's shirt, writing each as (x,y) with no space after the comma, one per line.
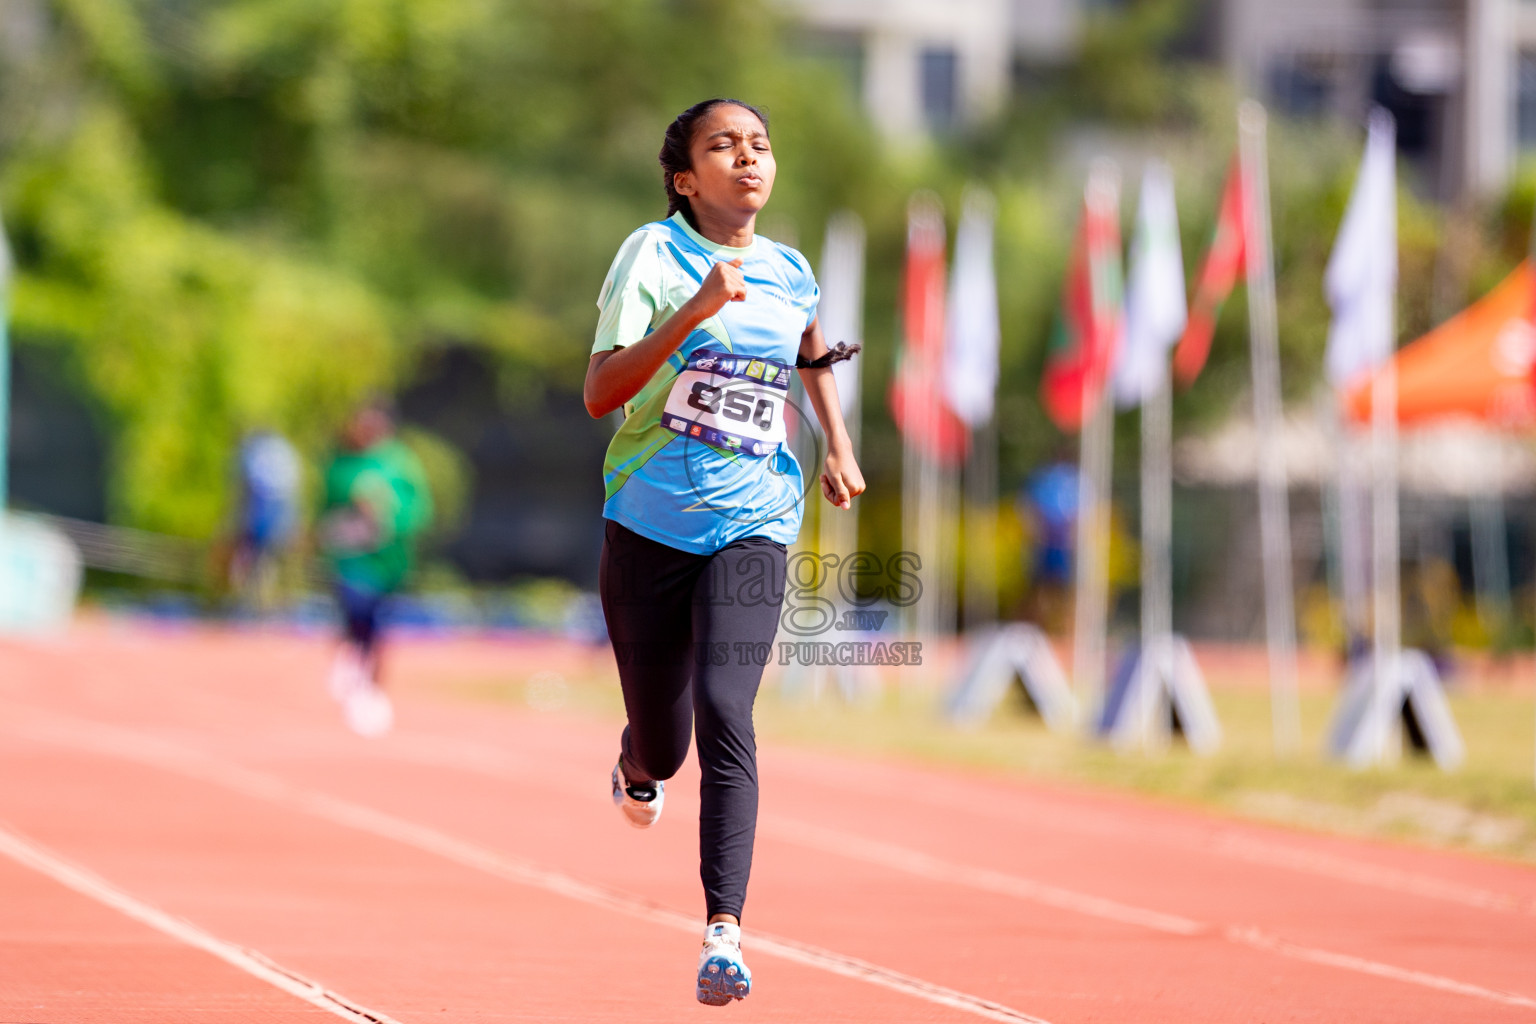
(730,401)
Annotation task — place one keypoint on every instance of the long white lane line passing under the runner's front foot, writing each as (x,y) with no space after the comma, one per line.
(185,762)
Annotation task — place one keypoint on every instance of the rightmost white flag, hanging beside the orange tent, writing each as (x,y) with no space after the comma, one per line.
(1362,277)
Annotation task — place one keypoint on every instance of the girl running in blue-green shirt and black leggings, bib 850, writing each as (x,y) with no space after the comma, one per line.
(701,323)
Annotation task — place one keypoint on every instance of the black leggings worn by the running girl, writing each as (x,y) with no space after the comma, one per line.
(692,635)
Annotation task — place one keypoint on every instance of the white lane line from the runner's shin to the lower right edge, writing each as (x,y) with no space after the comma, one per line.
(918,864)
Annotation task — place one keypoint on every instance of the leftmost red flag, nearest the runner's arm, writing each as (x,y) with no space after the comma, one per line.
(918,403)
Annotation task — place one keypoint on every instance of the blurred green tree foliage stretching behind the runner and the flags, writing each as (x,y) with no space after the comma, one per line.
(243,214)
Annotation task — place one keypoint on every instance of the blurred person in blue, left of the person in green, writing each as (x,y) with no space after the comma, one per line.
(268,478)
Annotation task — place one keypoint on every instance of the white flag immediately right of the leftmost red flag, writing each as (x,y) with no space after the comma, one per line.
(970,372)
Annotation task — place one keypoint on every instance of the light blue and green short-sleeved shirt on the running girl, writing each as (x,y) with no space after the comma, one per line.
(698,461)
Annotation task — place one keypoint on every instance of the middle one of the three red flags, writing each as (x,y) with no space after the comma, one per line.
(1088,329)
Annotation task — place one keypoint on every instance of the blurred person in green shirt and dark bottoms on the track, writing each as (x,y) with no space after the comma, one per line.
(376,506)
